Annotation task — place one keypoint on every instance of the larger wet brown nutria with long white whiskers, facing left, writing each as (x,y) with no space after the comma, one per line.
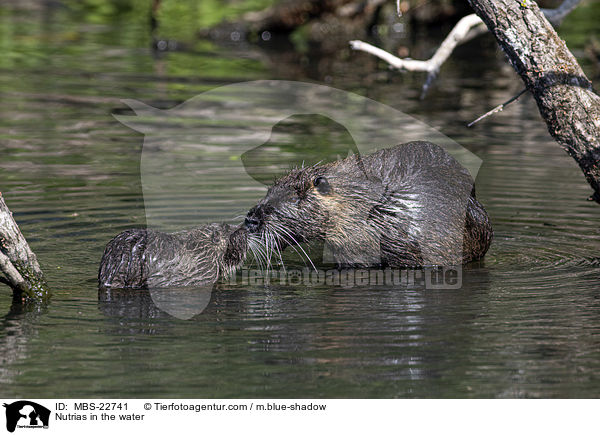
(407,206)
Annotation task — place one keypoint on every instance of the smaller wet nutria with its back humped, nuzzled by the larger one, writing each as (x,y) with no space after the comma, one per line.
(147,258)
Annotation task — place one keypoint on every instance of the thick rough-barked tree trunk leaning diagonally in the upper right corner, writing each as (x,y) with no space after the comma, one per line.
(551,73)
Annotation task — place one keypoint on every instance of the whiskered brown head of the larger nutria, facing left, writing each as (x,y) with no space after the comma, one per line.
(330,203)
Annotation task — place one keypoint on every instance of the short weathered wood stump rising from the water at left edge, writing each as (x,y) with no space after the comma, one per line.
(17,261)
